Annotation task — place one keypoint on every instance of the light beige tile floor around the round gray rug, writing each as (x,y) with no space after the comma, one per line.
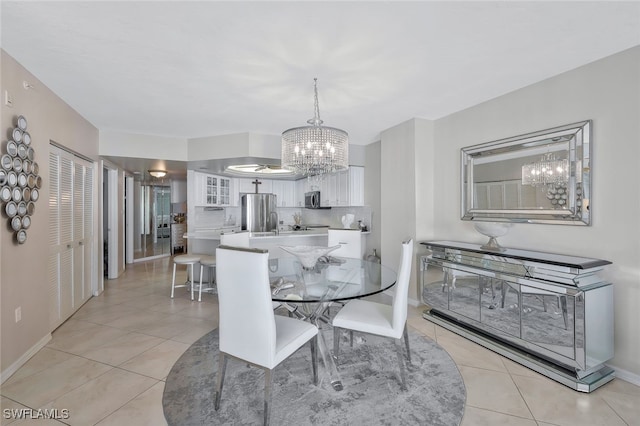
(107,365)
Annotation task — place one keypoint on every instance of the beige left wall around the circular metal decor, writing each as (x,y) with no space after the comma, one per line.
(23,268)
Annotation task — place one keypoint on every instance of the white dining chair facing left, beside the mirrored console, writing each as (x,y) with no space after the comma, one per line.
(380,319)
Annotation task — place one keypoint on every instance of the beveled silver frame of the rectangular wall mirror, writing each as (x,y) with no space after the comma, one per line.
(574,139)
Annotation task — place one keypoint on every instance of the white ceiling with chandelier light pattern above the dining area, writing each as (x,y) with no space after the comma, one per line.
(193,69)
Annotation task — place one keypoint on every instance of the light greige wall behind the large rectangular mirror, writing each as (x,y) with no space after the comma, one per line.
(608,92)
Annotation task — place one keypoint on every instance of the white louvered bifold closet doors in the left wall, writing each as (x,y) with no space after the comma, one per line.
(70,234)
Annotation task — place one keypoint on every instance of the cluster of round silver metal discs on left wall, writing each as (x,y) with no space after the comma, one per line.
(19,180)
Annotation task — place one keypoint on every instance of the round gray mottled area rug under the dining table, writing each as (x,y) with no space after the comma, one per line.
(370,374)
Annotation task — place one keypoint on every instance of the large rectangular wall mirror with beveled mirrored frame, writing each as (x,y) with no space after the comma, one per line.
(539,177)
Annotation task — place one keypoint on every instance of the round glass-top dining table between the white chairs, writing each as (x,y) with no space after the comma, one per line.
(308,293)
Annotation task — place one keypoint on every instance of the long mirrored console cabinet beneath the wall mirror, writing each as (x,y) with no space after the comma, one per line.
(549,312)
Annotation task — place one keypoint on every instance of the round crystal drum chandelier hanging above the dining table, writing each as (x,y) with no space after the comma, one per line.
(315,150)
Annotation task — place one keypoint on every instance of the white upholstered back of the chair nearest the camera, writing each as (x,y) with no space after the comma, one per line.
(247,324)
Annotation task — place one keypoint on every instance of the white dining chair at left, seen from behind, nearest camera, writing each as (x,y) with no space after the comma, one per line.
(249,330)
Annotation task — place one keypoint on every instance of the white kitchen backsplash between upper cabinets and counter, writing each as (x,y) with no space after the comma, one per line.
(231,216)
